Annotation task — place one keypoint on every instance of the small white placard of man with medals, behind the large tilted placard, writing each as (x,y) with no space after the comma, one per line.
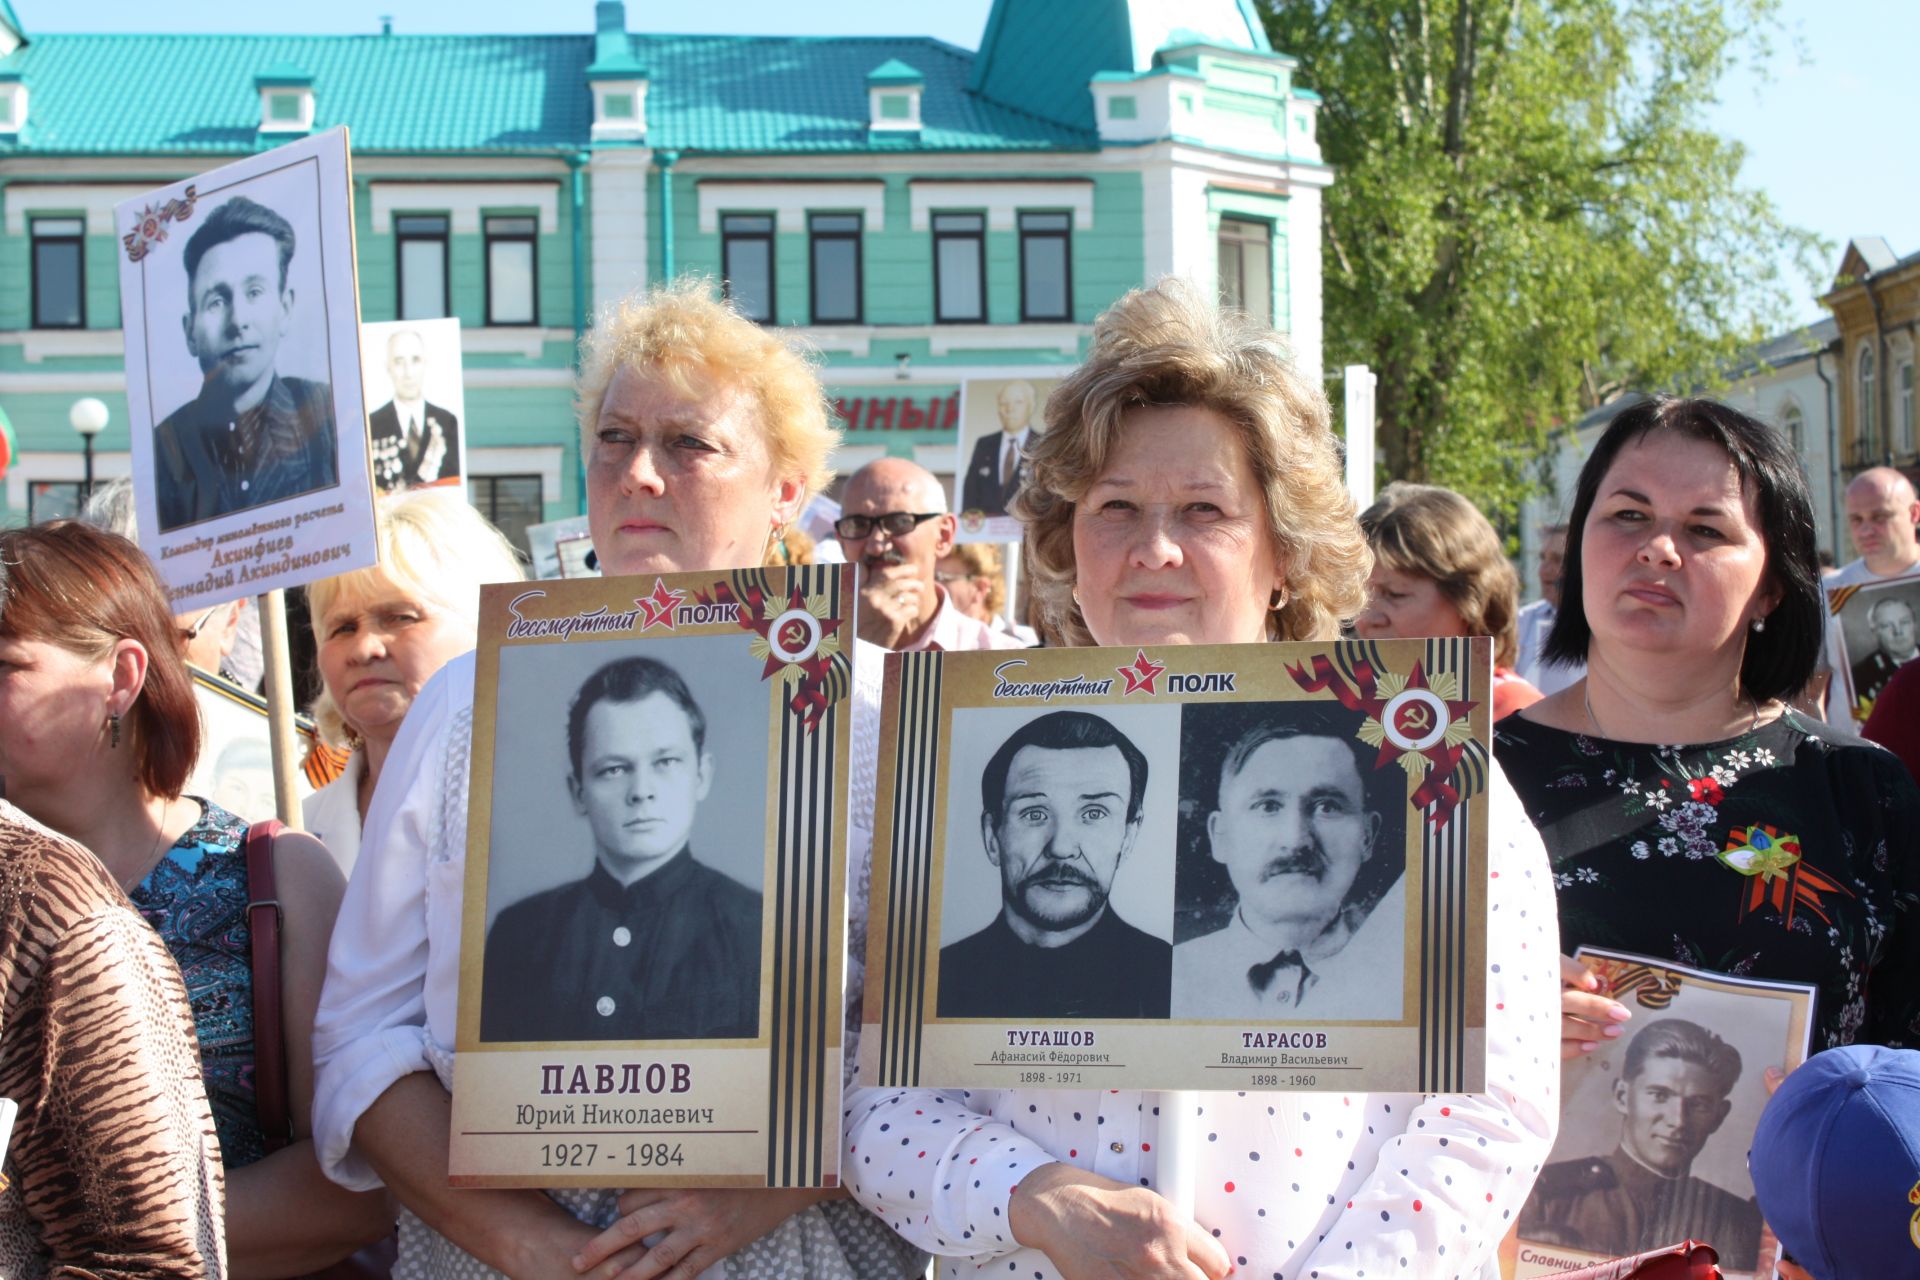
(416,404)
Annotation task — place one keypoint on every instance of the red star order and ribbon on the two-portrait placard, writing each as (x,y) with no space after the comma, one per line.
(1412,721)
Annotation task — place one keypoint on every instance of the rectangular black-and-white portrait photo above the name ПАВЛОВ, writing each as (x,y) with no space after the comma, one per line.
(629,843)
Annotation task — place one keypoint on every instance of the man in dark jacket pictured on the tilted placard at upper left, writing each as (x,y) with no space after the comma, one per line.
(251,437)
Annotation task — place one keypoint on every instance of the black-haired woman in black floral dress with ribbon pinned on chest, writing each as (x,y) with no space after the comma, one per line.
(1762,843)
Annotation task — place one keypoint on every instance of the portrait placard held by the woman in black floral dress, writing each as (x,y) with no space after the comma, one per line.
(1656,1126)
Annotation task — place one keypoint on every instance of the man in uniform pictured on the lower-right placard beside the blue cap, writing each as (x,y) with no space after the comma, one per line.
(1673,1097)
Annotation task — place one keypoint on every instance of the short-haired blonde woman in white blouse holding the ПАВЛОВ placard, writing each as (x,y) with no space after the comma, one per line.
(704,439)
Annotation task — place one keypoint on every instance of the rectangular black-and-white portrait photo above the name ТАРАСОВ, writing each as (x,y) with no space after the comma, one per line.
(1293,868)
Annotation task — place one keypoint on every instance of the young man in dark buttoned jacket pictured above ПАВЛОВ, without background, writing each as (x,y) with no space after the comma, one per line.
(654,945)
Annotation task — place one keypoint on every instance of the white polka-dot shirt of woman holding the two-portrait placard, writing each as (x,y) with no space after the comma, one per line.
(1293,1185)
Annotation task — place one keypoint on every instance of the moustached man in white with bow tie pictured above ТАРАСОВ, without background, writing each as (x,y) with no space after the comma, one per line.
(1318,926)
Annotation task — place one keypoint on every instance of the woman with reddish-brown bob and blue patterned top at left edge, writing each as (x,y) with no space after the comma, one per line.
(101,734)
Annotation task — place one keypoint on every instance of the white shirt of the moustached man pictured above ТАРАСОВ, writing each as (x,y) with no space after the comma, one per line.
(1358,982)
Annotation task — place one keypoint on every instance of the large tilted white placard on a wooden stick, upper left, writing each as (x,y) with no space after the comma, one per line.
(243,375)
